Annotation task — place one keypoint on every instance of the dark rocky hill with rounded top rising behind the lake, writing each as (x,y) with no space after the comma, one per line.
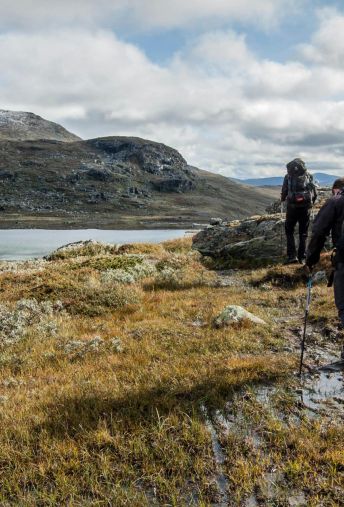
(114,182)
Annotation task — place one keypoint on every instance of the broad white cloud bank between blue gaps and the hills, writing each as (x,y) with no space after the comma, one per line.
(224,108)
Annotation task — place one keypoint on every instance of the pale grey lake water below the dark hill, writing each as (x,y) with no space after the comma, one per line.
(22,244)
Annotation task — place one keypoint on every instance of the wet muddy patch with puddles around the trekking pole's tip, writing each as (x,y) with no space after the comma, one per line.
(315,394)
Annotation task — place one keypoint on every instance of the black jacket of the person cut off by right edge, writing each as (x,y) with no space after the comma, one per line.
(328,220)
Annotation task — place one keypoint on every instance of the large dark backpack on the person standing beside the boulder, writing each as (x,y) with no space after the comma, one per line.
(300,184)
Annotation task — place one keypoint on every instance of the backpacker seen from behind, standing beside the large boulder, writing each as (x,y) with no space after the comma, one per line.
(299,192)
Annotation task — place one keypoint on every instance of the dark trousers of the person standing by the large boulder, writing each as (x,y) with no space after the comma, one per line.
(302,217)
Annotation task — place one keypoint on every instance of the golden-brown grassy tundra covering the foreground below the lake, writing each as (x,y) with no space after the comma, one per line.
(116,389)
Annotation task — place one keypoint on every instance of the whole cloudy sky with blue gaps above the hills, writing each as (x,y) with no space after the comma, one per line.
(239,87)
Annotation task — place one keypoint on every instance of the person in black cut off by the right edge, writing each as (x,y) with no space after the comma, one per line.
(330,220)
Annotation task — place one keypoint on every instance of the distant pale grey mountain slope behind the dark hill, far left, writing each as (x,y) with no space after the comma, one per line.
(23,126)
